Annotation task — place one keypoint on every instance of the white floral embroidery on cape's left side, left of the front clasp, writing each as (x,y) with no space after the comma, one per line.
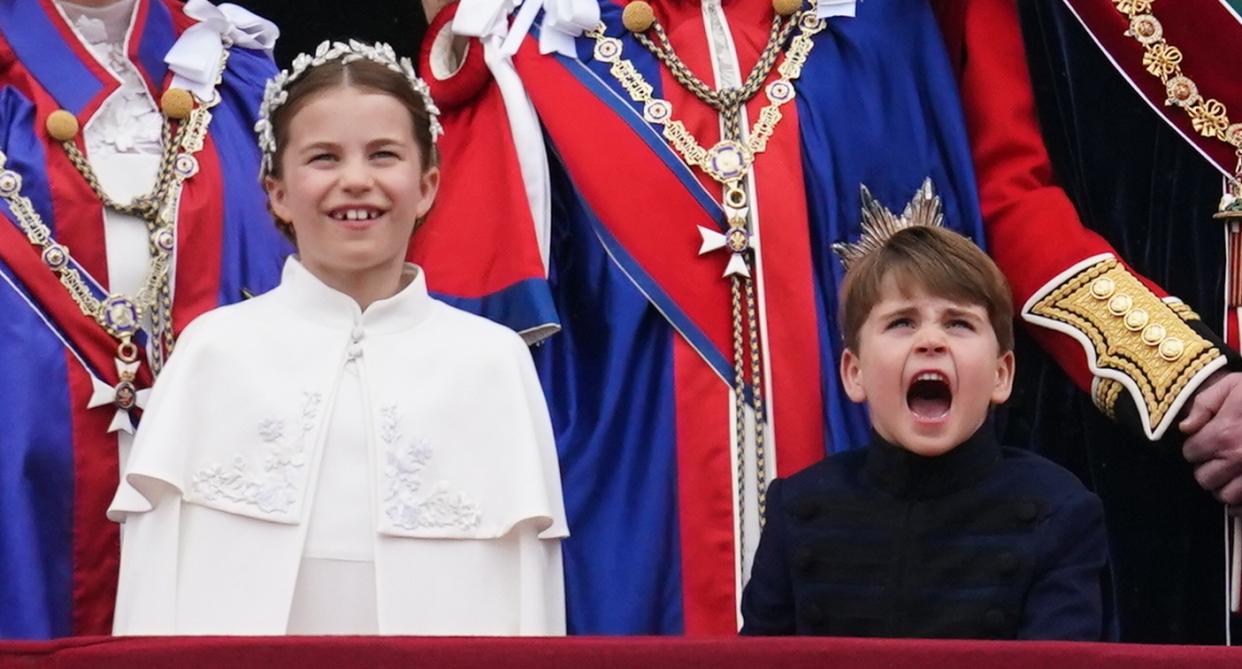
(274,488)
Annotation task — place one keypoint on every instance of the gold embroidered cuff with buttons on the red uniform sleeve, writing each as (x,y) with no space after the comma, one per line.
(1132,332)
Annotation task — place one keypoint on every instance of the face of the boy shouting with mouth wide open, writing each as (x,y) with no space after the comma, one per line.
(928,368)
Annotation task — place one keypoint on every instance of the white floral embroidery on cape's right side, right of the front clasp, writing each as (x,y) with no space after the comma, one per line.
(404,500)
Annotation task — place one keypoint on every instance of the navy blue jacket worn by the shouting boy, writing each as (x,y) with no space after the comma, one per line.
(981,543)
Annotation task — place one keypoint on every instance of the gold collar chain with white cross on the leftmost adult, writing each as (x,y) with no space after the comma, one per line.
(120,315)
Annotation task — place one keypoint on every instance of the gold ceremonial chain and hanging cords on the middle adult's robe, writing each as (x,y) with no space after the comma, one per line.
(728,163)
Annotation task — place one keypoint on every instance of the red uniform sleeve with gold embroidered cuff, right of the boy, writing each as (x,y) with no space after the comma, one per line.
(1110,328)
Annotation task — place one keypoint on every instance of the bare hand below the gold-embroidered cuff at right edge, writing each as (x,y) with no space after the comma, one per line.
(1215,436)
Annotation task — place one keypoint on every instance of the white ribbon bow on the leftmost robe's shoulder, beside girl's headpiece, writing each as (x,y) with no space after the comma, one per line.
(196,59)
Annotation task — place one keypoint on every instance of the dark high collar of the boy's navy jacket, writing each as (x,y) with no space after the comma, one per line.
(907,475)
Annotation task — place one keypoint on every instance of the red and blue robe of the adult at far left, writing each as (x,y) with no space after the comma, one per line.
(59,467)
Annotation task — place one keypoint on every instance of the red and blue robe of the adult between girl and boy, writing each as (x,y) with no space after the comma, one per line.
(639,378)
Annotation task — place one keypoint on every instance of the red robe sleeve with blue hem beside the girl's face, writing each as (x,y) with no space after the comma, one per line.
(479,245)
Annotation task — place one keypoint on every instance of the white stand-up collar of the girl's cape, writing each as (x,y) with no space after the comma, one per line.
(315,301)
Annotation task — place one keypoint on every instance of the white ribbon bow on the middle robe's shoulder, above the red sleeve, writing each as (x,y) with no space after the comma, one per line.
(564,20)
